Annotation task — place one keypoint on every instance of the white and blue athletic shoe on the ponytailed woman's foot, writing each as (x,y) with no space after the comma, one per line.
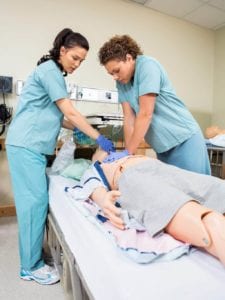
(43,275)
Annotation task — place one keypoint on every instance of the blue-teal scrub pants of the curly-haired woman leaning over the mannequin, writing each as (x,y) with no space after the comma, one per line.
(191,155)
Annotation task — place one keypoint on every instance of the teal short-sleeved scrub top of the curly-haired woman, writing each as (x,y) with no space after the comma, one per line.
(171,123)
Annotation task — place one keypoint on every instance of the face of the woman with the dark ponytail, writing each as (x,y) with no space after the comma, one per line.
(71,58)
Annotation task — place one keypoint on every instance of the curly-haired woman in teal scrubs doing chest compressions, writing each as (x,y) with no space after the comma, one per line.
(151,108)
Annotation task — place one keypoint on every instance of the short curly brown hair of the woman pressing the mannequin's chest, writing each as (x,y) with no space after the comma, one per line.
(117,48)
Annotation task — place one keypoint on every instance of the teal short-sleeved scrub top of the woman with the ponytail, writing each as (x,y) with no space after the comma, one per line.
(38,120)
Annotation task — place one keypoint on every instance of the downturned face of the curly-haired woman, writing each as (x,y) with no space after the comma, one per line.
(121,70)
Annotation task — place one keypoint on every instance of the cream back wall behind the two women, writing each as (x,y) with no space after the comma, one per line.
(28,27)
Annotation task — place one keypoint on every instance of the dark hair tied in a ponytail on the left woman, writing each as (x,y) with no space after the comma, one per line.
(67,38)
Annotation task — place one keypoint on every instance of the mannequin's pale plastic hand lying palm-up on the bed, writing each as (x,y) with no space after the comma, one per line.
(110,210)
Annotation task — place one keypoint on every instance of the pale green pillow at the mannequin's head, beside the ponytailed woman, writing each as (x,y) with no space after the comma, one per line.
(76,169)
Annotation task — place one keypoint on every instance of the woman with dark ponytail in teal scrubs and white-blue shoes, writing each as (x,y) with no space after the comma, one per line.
(33,134)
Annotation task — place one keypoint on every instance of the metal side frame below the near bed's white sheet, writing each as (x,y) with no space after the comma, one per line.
(71,278)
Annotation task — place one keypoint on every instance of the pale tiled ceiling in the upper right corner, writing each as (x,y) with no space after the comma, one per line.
(206,13)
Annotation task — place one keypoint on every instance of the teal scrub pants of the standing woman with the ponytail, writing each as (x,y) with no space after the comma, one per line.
(30,188)
